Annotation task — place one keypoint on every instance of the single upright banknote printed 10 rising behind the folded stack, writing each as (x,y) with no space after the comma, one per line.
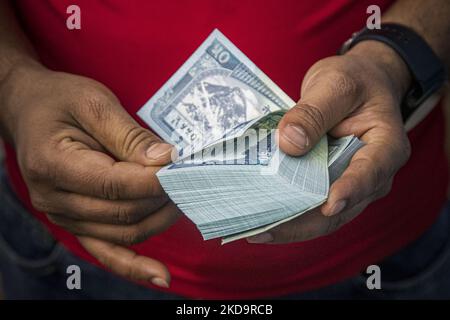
(217,90)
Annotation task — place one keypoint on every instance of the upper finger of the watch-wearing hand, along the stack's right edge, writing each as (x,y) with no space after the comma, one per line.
(370,170)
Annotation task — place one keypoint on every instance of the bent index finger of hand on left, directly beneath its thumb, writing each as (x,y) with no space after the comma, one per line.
(96,174)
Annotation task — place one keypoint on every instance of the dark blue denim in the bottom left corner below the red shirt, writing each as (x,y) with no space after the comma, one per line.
(33,265)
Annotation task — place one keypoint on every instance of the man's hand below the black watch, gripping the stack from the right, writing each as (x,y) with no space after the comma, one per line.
(358,93)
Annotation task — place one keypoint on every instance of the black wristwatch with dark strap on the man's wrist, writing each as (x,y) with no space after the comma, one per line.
(428,72)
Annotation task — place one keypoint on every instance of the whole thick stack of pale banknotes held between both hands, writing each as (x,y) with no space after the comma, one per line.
(229,176)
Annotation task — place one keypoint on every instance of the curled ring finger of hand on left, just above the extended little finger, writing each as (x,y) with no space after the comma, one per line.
(122,234)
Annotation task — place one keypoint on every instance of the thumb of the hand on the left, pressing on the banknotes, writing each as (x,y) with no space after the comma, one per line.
(103,117)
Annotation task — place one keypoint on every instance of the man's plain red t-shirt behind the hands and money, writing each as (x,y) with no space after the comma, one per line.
(133,47)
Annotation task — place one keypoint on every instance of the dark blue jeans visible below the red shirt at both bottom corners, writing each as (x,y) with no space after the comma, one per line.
(33,266)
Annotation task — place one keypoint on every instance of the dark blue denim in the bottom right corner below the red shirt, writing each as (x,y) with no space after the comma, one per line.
(421,270)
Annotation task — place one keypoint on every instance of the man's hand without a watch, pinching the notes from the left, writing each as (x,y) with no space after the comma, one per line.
(88,165)
